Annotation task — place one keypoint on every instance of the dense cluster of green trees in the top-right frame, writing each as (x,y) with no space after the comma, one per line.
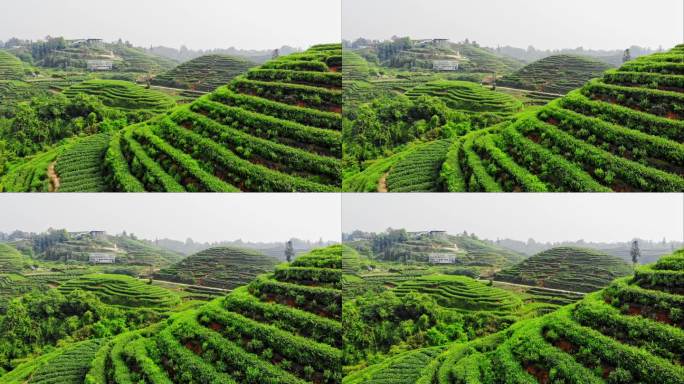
(374,129)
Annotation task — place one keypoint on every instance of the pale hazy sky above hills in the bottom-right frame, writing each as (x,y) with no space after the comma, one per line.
(544,217)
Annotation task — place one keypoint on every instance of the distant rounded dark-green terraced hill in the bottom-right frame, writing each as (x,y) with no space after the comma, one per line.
(567,268)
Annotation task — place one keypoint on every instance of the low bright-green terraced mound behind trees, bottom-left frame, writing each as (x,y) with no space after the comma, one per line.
(121,290)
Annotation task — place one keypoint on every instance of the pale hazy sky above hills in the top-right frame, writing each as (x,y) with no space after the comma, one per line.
(597,24)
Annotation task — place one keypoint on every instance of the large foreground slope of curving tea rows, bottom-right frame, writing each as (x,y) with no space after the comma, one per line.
(626,333)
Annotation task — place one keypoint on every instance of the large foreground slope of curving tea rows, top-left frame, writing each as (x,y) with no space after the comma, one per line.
(274,129)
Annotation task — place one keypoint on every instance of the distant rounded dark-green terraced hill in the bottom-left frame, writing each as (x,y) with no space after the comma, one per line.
(223,267)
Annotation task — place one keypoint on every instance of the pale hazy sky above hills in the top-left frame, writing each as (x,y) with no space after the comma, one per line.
(246,24)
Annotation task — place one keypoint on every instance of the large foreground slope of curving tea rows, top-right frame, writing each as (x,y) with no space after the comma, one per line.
(622,132)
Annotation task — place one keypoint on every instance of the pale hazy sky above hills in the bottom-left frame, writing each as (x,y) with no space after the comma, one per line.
(203,217)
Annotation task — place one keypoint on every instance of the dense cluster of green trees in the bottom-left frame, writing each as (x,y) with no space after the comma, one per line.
(36,322)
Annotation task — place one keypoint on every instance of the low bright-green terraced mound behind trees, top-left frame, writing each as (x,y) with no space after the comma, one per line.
(123,95)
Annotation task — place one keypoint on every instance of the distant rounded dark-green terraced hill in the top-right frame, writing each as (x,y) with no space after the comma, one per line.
(555,74)
